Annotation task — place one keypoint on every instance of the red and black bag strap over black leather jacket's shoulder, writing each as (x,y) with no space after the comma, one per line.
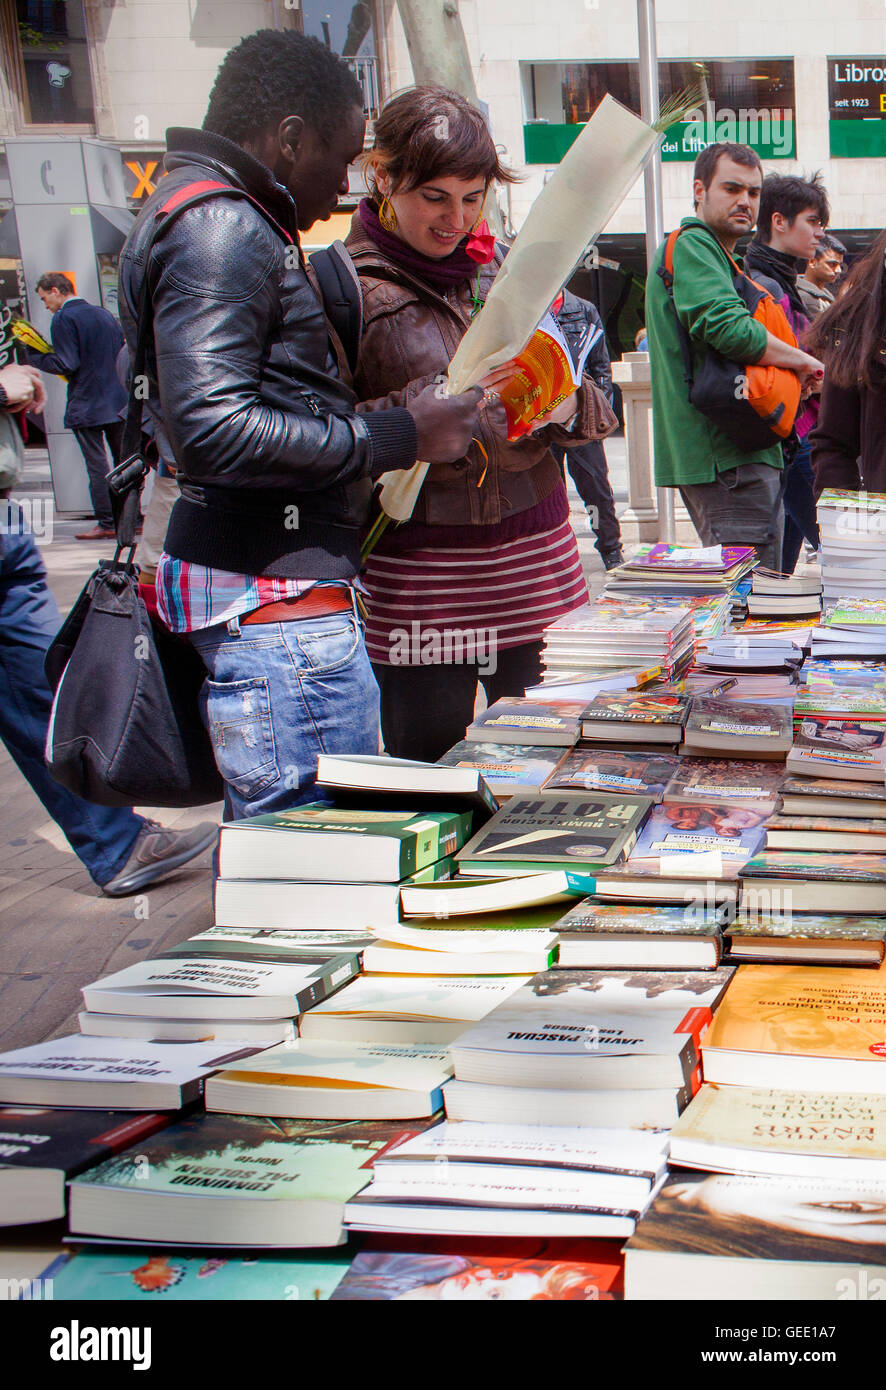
(126,480)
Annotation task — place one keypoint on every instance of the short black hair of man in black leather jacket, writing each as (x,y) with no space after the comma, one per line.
(279,73)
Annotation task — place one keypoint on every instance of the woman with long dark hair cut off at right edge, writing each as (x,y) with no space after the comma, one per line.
(849,443)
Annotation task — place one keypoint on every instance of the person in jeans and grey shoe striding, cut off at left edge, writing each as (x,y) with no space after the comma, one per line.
(123,853)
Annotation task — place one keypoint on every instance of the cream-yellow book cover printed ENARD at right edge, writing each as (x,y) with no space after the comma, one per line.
(825,1124)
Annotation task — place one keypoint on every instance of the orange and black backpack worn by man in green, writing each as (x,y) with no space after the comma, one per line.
(755,407)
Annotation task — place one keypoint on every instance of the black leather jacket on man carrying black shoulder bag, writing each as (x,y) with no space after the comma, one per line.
(275,465)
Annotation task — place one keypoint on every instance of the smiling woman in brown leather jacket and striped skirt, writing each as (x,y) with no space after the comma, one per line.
(462,590)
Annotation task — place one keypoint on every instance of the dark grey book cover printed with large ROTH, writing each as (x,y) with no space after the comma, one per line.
(557,831)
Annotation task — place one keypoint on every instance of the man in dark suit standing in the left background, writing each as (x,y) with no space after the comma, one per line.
(86,345)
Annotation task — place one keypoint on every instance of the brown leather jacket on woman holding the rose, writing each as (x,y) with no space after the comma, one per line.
(410,337)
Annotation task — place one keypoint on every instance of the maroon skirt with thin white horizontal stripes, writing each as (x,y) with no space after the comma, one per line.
(460,605)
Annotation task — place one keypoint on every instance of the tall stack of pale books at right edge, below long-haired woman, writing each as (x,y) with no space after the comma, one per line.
(853,540)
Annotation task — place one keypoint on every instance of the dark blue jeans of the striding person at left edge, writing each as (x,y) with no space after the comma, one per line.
(102,837)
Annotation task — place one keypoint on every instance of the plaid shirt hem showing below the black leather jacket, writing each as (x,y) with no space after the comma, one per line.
(193,597)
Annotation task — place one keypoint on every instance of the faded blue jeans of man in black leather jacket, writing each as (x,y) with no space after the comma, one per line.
(277,696)
